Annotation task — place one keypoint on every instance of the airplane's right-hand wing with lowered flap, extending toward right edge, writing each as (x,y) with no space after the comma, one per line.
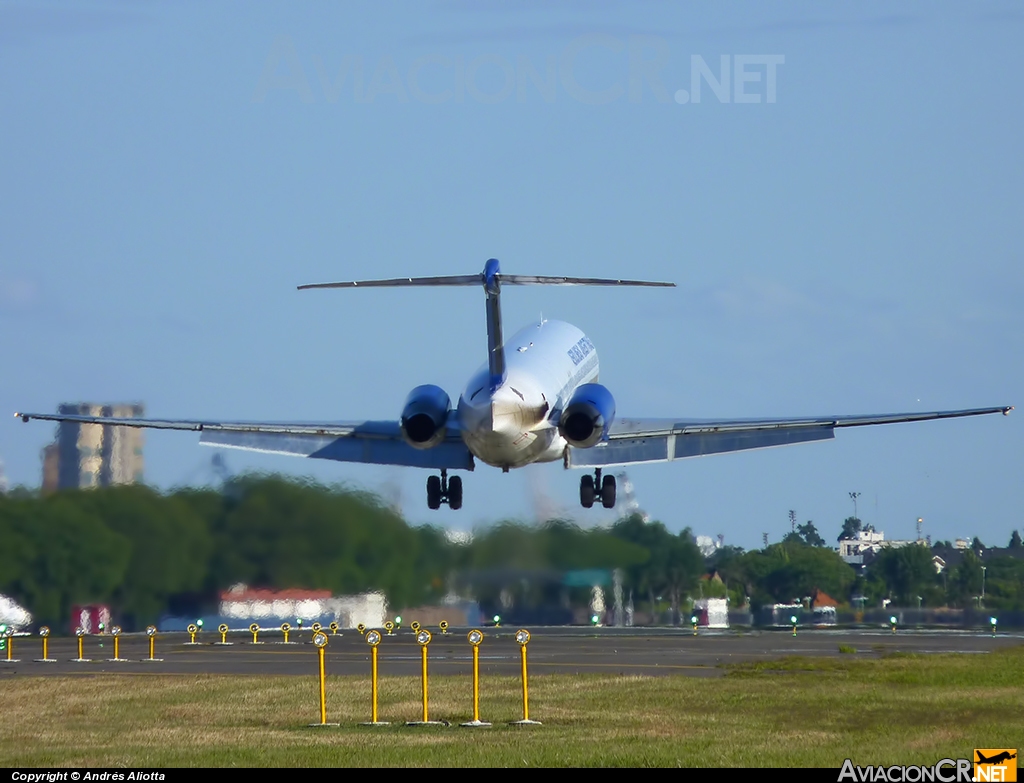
(657,441)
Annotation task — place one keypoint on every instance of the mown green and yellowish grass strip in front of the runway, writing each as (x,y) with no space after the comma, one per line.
(790,713)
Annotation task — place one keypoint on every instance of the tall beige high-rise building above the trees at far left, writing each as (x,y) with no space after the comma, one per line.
(93,455)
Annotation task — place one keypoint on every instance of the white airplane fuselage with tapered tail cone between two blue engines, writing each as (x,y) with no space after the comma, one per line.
(516,423)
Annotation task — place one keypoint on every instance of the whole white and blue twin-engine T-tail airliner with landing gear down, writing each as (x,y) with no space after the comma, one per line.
(537,400)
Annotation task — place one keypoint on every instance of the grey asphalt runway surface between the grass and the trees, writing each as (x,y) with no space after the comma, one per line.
(562,650)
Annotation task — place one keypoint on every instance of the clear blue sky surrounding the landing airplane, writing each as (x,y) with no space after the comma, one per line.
(848,245)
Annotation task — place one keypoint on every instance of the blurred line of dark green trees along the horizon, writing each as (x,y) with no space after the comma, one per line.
(147,554)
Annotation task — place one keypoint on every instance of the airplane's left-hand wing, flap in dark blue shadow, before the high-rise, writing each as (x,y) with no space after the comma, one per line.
(370,443)
